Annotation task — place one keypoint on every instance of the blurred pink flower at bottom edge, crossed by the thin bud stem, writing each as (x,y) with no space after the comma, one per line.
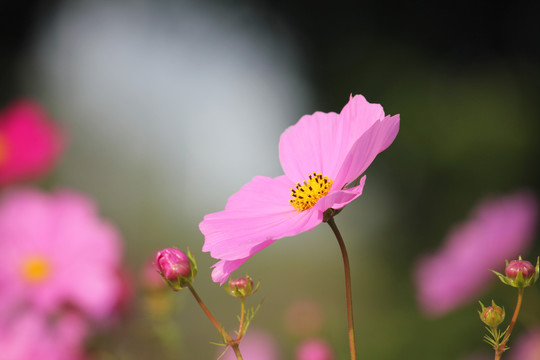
(256,345)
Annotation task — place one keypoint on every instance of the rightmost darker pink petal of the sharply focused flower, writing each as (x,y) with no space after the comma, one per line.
(376,139)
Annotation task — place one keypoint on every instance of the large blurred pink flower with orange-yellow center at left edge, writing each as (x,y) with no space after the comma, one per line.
(56,251)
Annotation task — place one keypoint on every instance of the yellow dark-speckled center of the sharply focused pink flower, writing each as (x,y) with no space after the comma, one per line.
(307,194)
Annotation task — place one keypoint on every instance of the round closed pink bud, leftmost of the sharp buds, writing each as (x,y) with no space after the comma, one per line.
(176,268)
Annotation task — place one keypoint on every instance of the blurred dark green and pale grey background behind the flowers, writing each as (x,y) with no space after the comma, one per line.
(171,106)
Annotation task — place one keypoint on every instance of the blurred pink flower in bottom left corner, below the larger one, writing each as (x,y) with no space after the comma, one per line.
(34,336)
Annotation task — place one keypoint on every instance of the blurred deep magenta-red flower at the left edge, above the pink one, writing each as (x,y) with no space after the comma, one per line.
(29,142)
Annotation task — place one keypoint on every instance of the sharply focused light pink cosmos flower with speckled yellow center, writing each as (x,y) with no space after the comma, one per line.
(321,156)
